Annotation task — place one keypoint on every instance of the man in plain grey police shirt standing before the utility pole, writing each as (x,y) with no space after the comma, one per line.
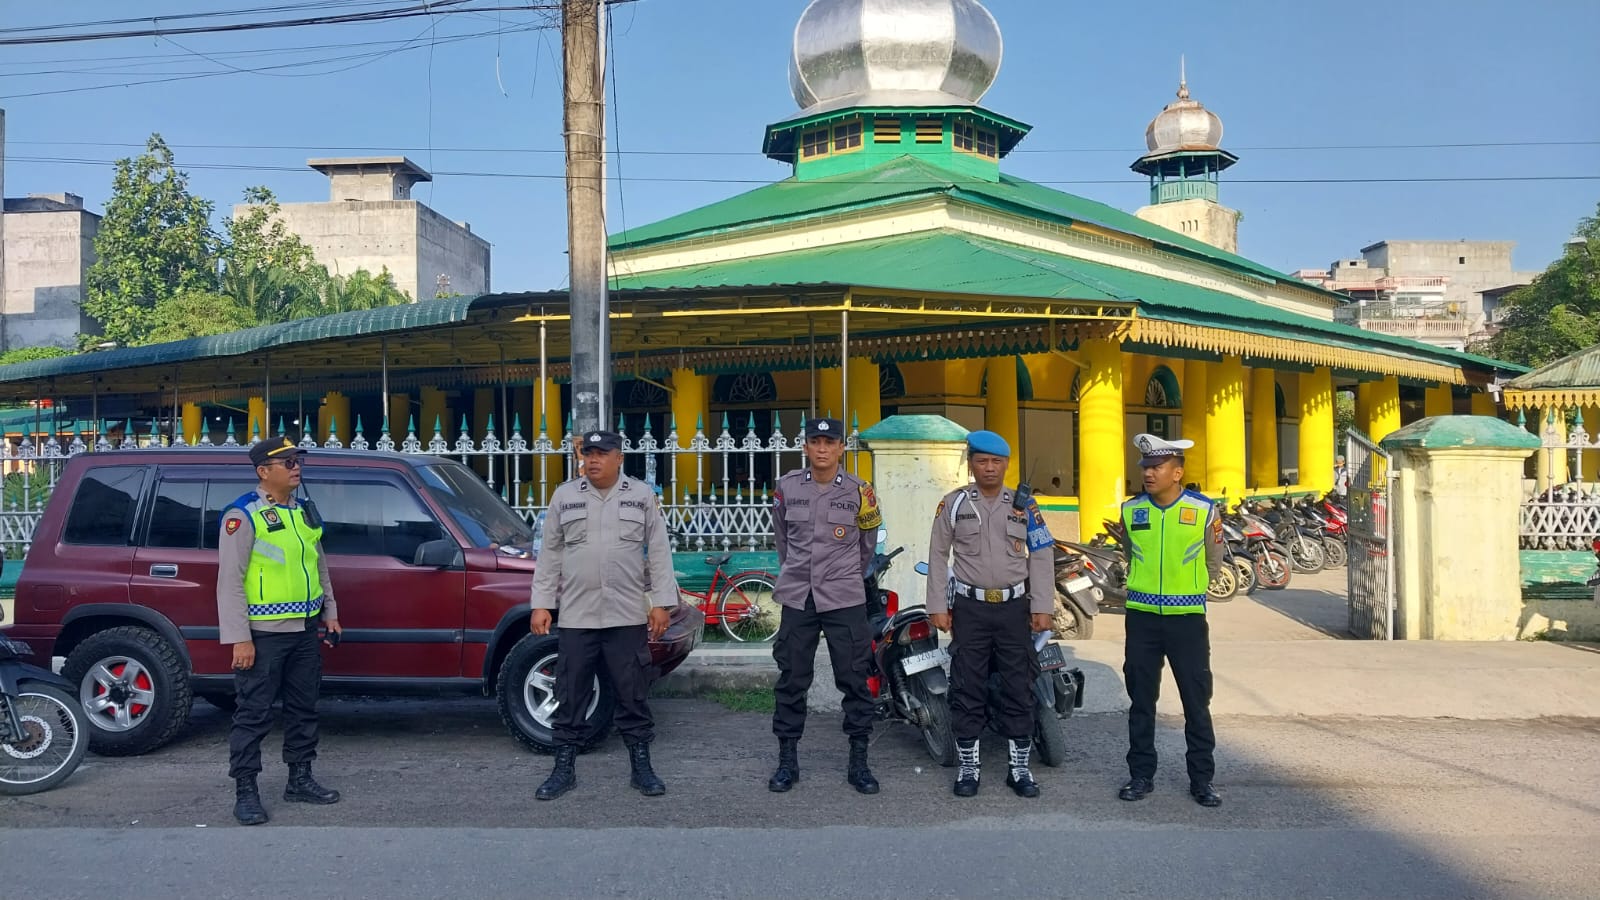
(593,569)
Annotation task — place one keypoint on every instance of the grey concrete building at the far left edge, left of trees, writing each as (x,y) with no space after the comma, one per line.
(47,244)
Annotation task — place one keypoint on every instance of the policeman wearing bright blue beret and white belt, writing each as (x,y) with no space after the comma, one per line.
(1004,587)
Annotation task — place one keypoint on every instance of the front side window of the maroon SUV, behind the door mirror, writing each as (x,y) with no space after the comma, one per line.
(372,518)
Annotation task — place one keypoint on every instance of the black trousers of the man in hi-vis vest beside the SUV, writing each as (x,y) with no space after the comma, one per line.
(289,669)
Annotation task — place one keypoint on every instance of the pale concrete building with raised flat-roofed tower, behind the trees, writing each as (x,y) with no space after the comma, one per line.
(370,222)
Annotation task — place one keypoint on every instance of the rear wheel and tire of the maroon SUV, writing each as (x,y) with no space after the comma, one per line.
(151,667)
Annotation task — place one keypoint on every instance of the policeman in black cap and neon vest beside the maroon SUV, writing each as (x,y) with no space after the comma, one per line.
(273,603)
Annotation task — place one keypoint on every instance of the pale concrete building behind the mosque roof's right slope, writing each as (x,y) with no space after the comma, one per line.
(1428,291)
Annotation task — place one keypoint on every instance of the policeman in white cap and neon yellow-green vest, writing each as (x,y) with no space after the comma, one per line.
(1175,550)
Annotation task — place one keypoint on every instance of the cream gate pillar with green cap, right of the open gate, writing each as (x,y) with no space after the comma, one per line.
(1455,520)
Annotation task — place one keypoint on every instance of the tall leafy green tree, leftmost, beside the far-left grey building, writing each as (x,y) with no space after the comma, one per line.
(154,243)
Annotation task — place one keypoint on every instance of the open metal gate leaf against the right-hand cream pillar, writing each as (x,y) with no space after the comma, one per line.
(1372,568)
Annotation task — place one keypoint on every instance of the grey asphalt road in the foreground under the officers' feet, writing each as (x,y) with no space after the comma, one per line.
(439,803)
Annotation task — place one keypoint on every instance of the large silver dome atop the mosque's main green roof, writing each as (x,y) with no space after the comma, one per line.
(894,54)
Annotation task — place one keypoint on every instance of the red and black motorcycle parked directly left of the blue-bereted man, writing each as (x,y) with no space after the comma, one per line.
(908,680)
